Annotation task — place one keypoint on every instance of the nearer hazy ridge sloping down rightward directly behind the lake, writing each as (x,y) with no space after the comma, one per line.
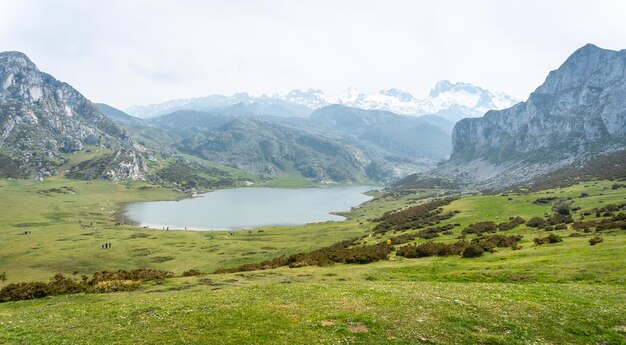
(257,146)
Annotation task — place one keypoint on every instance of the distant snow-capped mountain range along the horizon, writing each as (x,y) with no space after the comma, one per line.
(452,101)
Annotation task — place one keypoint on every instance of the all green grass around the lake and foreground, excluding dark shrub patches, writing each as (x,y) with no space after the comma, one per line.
(569,292)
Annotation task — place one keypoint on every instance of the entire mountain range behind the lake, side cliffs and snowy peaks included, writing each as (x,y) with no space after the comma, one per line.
(578,113)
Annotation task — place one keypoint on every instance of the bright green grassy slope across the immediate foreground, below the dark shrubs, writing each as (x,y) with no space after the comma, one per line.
(338,312)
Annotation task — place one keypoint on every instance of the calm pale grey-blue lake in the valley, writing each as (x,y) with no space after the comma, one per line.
(244,208)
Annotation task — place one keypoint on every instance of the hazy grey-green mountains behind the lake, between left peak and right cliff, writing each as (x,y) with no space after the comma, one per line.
(336,143)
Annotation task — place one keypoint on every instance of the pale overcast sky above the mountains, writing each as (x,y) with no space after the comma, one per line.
(139,52)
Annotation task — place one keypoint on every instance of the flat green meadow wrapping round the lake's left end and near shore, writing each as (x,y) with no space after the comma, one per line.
(68,230)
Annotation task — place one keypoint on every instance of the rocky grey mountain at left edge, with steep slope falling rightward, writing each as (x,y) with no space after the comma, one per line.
(43,120)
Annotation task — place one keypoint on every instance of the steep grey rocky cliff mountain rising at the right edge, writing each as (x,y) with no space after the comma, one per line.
(579,112)
